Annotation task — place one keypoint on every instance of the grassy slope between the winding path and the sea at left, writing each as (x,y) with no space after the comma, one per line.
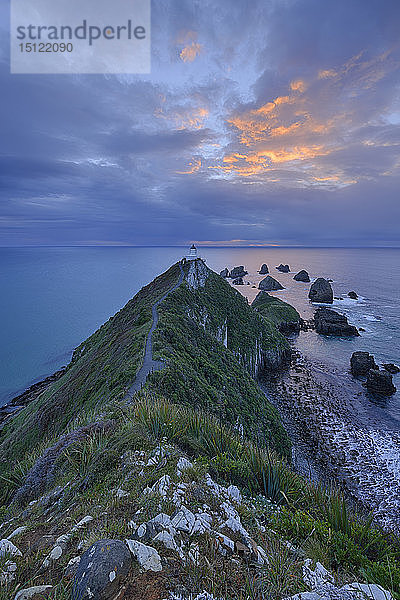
(100,369)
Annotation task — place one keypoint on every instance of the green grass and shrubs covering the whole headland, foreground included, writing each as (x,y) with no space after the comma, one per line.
(206,405)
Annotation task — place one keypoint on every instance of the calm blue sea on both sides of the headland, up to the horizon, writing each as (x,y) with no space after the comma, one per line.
(53,298)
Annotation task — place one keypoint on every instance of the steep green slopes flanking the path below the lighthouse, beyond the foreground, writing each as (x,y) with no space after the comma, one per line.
(103,367)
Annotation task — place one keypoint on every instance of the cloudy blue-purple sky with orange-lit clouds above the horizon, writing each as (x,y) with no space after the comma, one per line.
(263,122)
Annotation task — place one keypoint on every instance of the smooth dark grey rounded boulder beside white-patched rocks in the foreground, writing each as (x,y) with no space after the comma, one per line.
(101,570)
